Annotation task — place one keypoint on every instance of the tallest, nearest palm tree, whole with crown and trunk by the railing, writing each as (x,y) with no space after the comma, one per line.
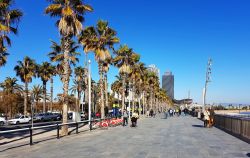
(70,15)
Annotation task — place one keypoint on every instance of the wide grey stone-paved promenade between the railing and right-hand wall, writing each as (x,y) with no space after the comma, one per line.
(178,137)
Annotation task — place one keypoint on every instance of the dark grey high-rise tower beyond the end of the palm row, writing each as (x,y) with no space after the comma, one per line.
(168,83)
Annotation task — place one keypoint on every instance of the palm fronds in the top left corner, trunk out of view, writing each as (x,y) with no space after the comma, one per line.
(9,19)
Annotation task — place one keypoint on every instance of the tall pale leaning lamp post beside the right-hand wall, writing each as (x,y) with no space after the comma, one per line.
(208,79)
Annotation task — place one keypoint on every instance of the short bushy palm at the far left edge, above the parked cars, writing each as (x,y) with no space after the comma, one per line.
(10,89)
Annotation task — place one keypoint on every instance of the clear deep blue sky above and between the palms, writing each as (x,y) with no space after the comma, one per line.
(175,35)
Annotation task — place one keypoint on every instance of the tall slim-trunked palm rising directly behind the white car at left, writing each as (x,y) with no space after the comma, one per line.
(26,69)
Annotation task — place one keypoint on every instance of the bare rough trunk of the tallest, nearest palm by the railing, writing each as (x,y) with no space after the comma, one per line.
(66,74)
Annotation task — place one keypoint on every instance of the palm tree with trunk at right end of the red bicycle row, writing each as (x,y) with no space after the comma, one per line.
(125,58)
